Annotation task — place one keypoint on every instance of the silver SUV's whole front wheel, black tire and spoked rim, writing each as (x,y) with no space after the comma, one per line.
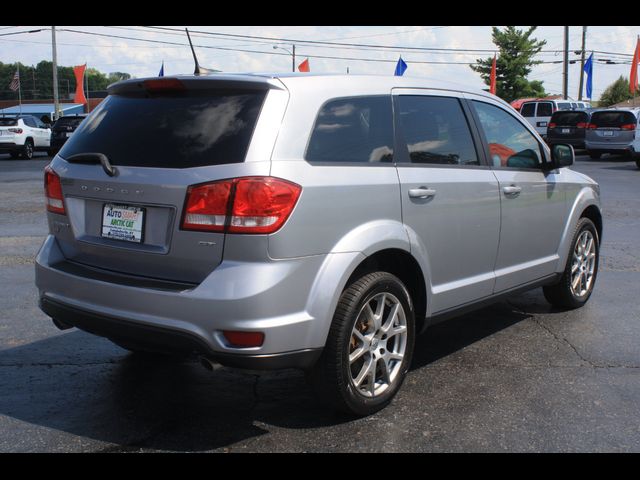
(579,277)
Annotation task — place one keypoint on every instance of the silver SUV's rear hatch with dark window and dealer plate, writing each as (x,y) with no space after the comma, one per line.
(160,136)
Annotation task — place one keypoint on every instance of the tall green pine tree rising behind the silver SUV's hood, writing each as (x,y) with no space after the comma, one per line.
(516,49)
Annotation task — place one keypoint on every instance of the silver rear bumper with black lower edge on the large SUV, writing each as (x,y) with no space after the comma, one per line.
(269,297)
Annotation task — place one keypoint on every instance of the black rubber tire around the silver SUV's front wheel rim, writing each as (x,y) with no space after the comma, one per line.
(561,294)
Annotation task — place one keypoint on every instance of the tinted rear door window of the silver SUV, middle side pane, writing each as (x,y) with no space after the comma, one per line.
(436,131)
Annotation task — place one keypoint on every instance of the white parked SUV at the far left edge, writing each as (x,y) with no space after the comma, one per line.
(22,135)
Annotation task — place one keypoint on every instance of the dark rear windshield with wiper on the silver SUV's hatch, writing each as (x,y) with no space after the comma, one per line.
(181,131)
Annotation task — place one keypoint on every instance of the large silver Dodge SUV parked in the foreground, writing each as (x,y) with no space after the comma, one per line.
(315,222)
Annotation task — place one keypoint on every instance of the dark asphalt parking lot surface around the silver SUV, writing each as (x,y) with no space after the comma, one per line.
(517,376)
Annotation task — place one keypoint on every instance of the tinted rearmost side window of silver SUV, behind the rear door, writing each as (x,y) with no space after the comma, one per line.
(358,129)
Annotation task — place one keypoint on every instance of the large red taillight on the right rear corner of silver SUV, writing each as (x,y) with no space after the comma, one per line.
(240,205)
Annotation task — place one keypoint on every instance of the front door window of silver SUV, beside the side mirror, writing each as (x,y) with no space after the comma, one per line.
(510,143)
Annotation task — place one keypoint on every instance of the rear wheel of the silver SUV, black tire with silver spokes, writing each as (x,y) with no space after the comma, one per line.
(332,377)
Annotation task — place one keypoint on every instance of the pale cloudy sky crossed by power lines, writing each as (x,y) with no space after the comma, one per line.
(235,48)
